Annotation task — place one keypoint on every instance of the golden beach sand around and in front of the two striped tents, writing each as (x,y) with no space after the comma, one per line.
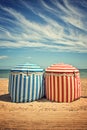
(42,114)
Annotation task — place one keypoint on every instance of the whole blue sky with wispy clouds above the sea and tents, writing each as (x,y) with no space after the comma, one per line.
(43,32)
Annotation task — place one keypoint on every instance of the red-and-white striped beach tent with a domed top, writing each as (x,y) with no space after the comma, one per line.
(62,83)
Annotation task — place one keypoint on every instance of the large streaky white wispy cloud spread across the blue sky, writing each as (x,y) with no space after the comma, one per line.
(66,32)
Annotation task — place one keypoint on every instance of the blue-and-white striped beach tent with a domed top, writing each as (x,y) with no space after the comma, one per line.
(26,83)
